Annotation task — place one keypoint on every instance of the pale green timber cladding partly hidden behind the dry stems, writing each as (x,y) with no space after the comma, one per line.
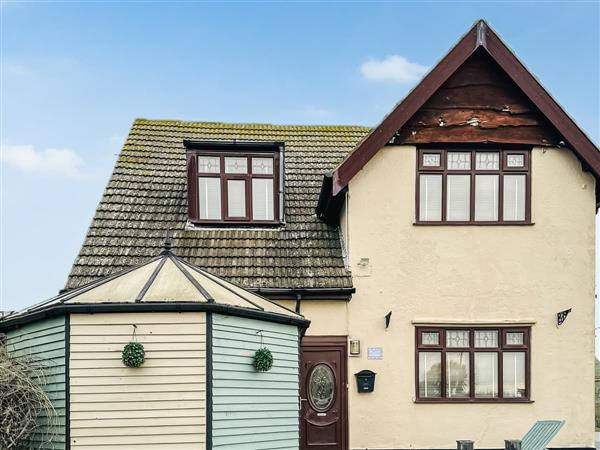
(45,341)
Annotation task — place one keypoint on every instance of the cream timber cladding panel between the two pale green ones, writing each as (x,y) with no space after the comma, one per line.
(161,405)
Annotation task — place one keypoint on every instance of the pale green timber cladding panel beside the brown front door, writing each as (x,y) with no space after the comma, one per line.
(251,409)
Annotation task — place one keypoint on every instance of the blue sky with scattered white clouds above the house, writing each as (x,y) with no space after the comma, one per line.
(75,76)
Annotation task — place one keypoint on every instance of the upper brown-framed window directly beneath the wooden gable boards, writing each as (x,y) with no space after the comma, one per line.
(473,186)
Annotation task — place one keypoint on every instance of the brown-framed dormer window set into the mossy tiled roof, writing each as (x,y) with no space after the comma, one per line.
(234,183)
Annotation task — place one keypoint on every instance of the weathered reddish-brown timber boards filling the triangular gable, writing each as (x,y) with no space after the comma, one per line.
(478,103)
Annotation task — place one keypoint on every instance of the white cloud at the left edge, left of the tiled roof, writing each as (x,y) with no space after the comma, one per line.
(62,161)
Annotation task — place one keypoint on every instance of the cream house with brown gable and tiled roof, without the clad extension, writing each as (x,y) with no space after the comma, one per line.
(434,250)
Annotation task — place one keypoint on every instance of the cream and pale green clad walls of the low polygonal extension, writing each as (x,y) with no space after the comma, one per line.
(166,403)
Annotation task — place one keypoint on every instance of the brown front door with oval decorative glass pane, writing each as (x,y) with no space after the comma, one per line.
(323,393)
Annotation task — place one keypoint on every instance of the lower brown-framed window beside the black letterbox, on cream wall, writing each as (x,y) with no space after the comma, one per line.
(467,364)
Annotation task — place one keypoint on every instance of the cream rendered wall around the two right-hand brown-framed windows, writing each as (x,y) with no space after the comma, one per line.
(466,274)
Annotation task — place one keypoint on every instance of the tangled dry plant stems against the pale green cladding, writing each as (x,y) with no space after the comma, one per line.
(25,409)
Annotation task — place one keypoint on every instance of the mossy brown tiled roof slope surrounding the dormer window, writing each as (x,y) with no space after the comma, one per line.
(146,195)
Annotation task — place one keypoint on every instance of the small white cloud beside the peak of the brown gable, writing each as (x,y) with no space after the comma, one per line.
(393,68)
